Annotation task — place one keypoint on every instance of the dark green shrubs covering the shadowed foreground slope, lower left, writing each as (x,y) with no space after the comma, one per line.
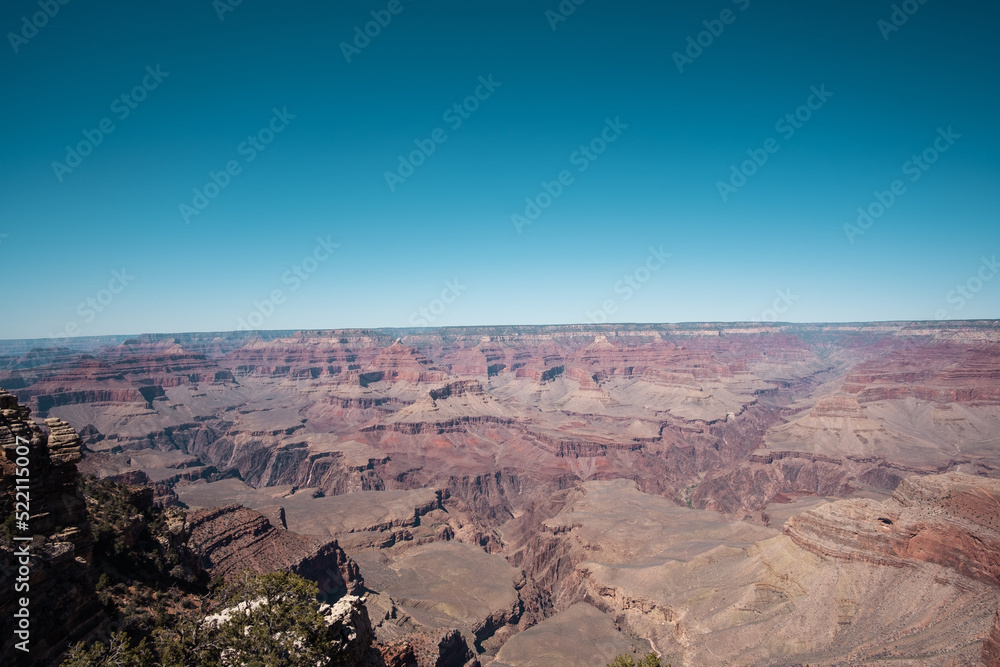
(166,612)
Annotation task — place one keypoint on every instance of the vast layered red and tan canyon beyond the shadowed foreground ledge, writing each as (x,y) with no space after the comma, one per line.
(717,493)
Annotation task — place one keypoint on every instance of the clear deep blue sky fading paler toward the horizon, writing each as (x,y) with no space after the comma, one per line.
(629,138)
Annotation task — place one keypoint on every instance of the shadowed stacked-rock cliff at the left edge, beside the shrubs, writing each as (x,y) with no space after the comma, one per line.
(63,603)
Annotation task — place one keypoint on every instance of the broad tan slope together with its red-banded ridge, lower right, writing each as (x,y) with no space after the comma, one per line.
(840,585)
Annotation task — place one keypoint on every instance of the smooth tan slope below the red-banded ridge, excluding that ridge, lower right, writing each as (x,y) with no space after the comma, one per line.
(704,590)
